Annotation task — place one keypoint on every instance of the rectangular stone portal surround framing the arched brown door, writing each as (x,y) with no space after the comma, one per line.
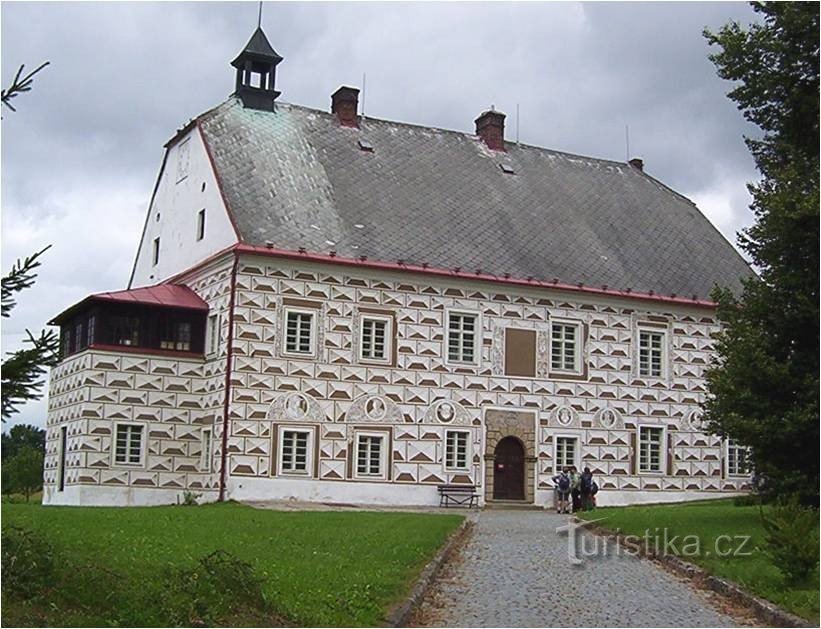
(519,425)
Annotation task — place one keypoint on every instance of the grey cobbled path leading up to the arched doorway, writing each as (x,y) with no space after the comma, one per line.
(514,572)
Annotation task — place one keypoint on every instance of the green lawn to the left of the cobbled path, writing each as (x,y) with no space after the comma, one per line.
(317,568)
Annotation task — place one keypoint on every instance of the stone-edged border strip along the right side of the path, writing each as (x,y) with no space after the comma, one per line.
(766,611)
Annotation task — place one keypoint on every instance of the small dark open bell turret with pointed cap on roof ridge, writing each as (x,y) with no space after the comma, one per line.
(256,73)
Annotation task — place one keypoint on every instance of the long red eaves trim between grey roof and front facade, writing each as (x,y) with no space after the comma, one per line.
(463,275)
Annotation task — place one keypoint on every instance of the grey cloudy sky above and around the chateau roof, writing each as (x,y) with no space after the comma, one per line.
(80,155)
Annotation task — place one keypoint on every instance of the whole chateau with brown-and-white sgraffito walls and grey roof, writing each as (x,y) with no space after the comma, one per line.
(336,308)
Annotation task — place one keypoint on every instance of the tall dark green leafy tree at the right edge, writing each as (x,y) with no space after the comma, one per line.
(764,383)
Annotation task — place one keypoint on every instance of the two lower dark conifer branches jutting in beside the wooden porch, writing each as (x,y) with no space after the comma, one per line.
(23,370)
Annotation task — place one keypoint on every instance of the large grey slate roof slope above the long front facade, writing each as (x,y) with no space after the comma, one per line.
(296,178)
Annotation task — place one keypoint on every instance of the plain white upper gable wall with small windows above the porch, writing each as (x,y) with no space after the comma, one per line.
(172,216)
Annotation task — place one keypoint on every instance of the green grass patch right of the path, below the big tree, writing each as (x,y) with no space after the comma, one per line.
(709,520)
